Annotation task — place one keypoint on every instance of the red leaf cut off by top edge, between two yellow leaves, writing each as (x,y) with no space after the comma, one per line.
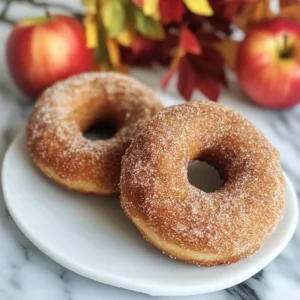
(171,10)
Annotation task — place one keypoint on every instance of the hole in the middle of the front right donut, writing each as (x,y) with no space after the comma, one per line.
(204,176)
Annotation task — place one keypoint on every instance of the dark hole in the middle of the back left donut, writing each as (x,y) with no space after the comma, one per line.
(100,131)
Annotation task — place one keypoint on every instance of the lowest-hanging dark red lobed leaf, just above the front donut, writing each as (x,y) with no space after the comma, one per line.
(189,80)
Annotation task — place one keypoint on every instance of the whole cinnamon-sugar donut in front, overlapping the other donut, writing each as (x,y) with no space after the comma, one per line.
(206,229)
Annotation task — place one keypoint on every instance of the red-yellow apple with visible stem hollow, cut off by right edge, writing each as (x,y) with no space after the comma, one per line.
(268,63)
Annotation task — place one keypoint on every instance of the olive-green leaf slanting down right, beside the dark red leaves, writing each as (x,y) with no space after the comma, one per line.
(146,25)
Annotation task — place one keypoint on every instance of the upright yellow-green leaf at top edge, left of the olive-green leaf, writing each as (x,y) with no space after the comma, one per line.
(113,15)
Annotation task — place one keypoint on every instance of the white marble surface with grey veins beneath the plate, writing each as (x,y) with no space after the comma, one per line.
(27,274)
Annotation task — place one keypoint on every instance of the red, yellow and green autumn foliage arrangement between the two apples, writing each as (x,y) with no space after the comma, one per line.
(192,37)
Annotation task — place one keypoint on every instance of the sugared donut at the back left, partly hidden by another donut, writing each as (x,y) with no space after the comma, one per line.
(66,110)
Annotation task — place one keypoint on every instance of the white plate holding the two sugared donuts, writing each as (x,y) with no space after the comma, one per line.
(92,237)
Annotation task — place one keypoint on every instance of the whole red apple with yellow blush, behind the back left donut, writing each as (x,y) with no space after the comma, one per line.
(43,50)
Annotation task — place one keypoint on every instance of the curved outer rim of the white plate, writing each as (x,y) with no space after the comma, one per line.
(122,282)
